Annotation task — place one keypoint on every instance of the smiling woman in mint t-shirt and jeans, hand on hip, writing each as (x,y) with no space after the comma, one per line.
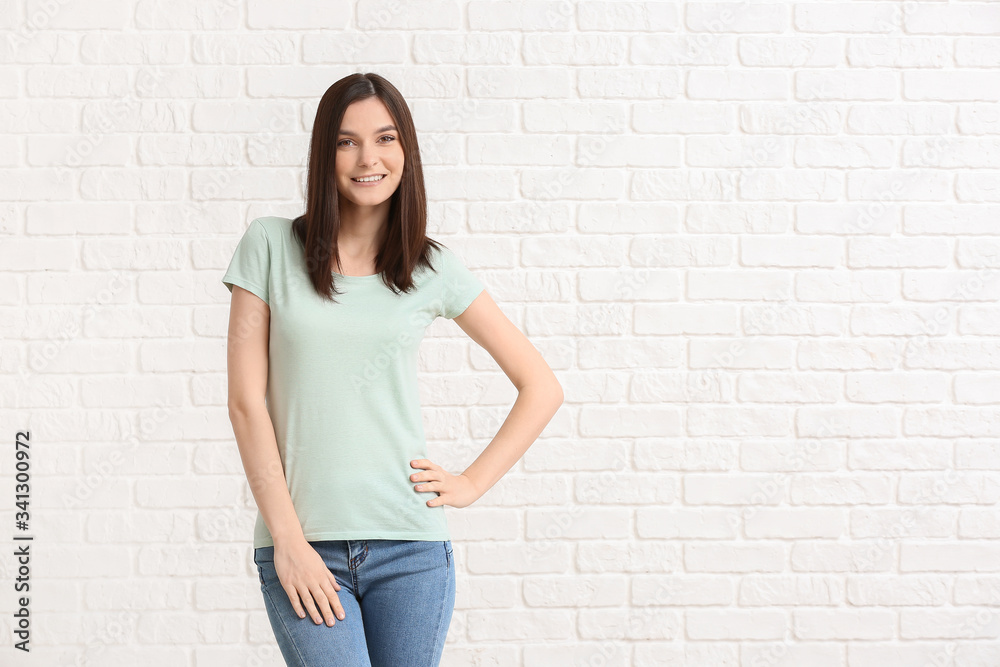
(327,314)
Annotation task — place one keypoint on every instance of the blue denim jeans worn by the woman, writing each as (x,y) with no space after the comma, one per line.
(398,597)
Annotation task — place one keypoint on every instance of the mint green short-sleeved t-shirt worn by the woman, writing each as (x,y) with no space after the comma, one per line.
(342,387)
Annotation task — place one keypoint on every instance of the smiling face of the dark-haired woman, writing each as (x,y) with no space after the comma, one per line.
(368,143)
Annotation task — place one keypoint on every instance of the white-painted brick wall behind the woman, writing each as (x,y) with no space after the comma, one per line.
(758,242)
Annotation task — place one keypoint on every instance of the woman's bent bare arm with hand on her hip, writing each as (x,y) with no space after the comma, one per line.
(539,396)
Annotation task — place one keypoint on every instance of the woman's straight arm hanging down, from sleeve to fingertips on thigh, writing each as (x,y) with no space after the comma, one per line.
(301,570)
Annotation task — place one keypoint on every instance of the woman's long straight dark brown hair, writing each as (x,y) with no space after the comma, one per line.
(405,245)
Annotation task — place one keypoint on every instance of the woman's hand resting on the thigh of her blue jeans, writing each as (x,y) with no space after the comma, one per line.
(303,574)
